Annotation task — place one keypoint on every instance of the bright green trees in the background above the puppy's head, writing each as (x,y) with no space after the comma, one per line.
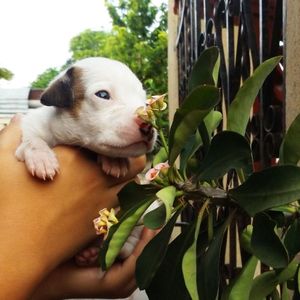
(138,38)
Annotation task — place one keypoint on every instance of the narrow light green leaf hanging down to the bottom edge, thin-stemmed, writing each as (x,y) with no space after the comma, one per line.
(189,261)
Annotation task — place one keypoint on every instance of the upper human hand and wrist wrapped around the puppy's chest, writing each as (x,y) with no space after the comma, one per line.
(44,223)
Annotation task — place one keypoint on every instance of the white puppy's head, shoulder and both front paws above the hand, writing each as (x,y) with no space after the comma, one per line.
(92,104)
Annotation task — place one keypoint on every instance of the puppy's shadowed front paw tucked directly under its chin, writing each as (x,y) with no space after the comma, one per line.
(116,167)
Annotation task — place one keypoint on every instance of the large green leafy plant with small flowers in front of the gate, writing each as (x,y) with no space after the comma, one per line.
(219,187)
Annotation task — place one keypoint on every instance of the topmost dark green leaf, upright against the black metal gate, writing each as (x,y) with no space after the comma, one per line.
(204,68)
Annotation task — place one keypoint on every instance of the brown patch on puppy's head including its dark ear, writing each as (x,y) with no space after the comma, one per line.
(65,91)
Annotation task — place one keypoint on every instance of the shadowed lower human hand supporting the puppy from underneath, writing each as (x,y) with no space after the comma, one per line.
(71,281)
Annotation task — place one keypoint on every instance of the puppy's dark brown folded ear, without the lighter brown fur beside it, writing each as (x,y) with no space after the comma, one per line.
(60,93)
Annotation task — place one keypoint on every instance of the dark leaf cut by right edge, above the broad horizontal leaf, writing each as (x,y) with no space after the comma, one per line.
(290,147)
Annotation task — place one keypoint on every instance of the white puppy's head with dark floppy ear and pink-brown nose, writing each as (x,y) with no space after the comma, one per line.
(97,99)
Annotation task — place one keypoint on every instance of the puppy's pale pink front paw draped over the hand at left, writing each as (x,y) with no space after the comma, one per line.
(40,161)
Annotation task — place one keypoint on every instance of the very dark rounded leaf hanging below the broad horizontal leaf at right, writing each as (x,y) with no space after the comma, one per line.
(266,244)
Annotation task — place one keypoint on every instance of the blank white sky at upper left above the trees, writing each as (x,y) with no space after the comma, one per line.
(35,34)
